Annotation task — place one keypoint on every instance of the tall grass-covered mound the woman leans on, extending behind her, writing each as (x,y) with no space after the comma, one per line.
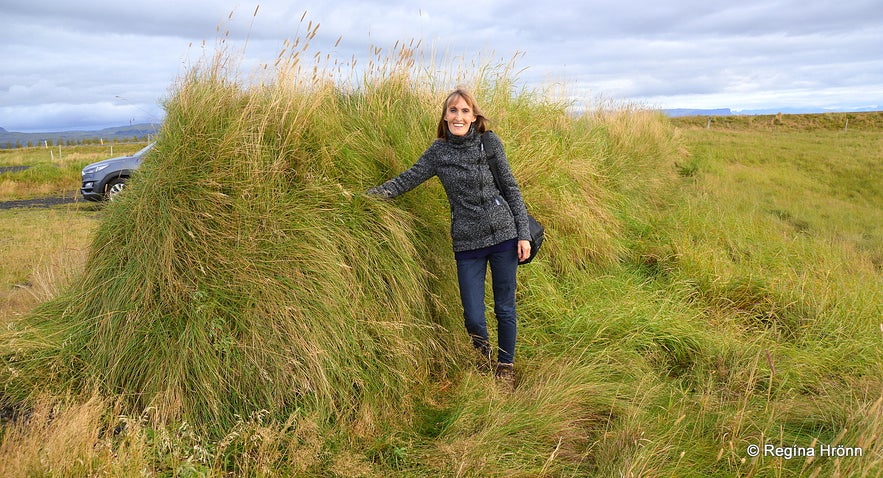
(245,269)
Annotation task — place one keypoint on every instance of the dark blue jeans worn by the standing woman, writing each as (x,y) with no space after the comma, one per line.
(471,276)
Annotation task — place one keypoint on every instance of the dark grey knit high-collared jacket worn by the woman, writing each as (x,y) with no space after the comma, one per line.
(481,216)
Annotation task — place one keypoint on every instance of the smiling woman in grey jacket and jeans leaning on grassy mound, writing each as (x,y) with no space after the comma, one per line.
(489,222)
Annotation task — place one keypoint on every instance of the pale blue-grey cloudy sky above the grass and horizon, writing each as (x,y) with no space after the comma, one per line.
(96,63)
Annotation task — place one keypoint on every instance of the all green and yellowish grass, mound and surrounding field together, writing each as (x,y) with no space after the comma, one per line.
(244,309)
